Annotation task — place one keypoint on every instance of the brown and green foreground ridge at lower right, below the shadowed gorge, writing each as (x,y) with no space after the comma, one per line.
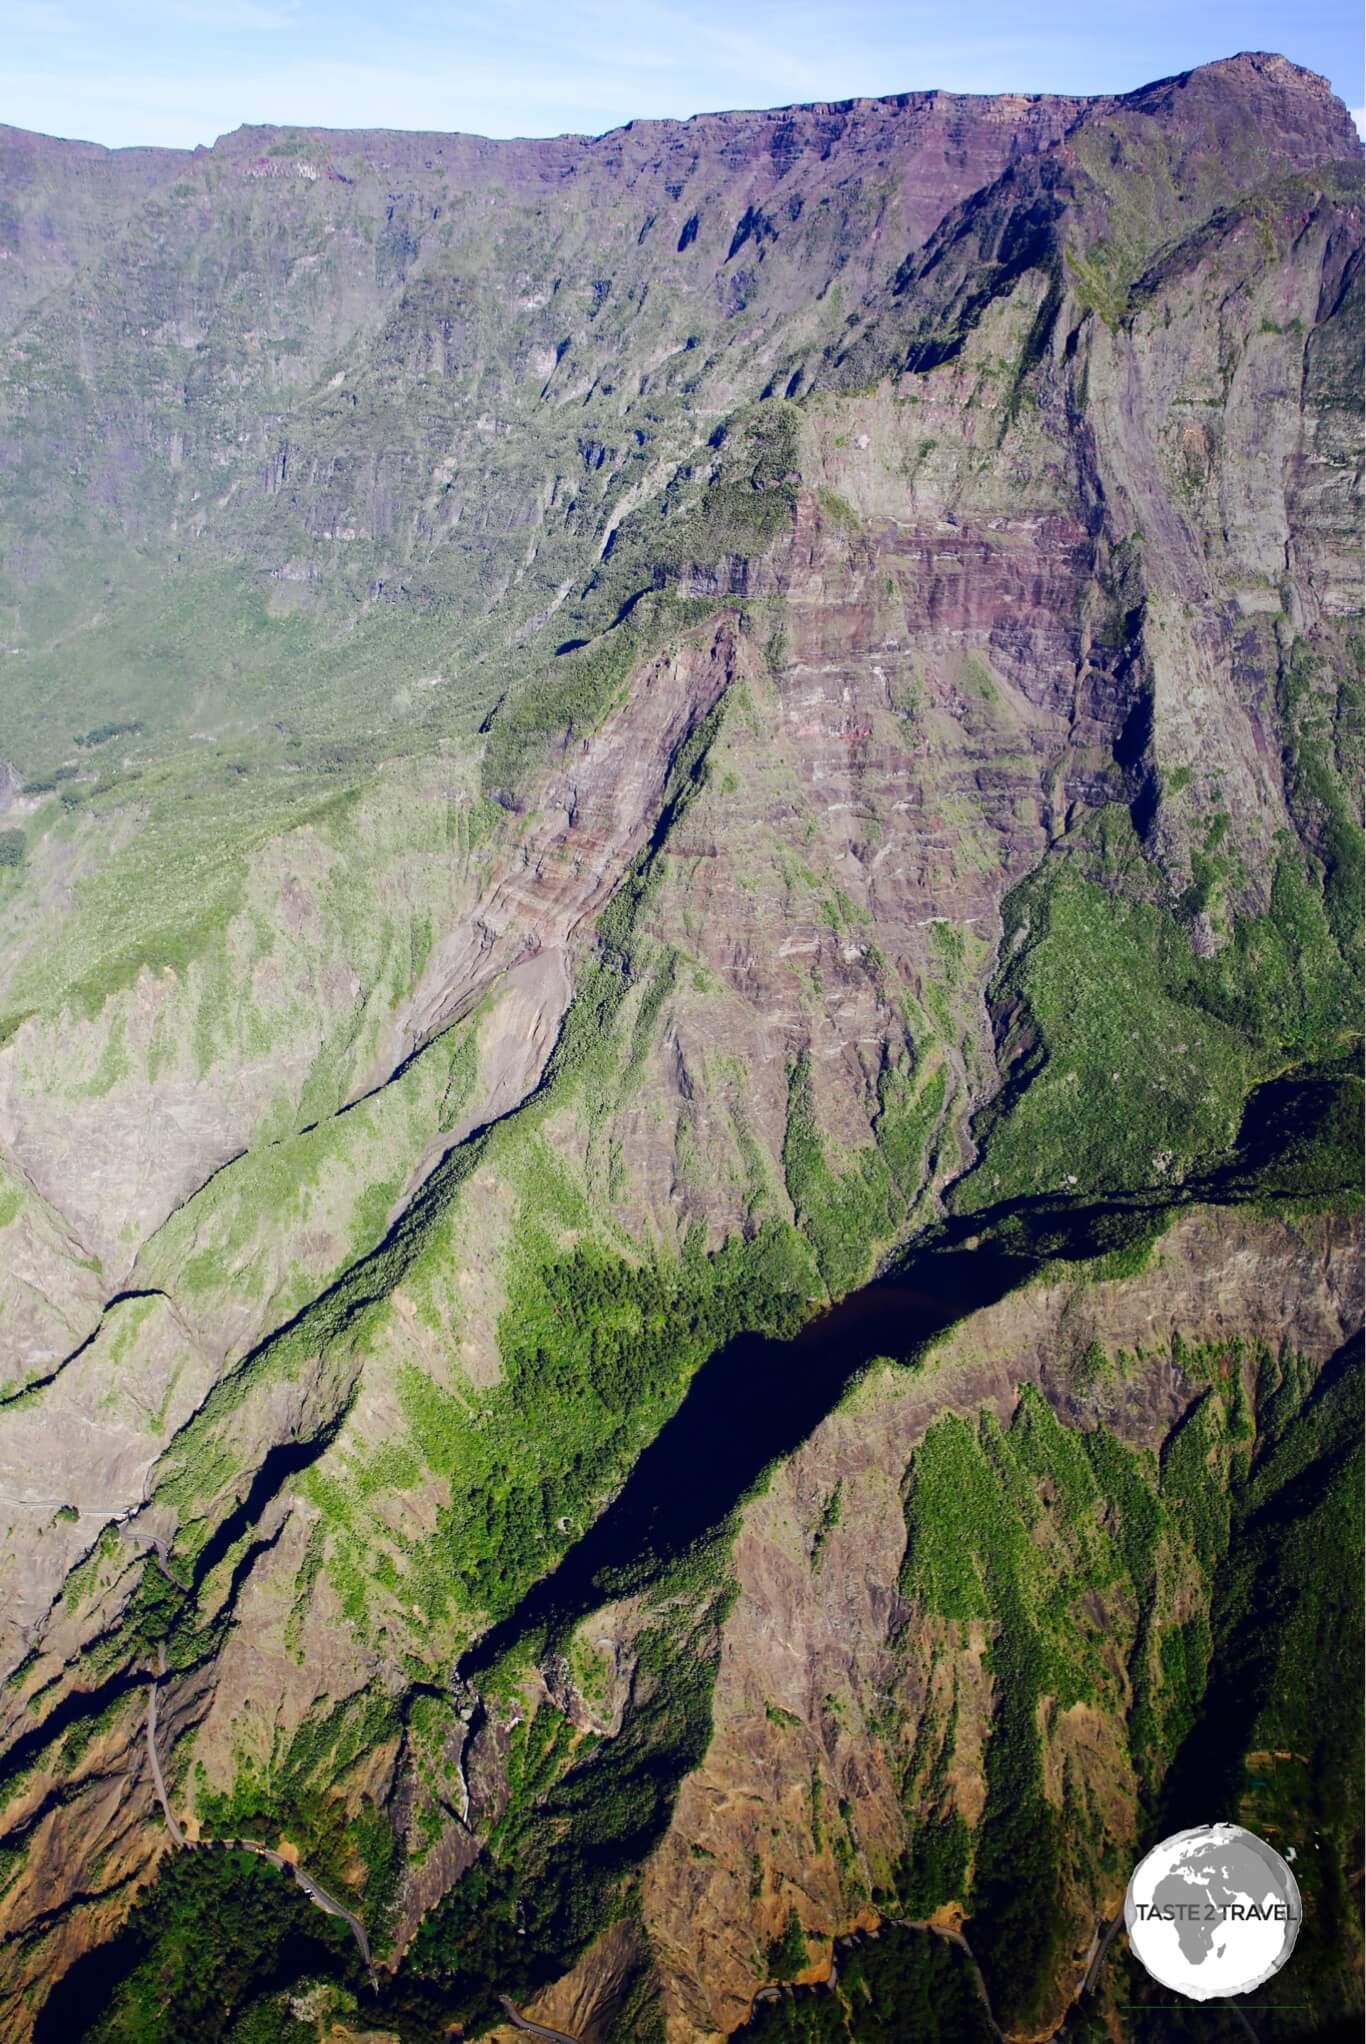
(974,1624)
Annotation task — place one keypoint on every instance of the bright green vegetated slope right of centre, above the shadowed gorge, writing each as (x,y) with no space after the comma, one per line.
(1130,1058)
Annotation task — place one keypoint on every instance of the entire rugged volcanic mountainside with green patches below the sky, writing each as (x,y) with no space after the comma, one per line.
(604,733)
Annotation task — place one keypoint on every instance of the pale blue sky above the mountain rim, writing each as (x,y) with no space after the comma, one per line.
(187,71)
